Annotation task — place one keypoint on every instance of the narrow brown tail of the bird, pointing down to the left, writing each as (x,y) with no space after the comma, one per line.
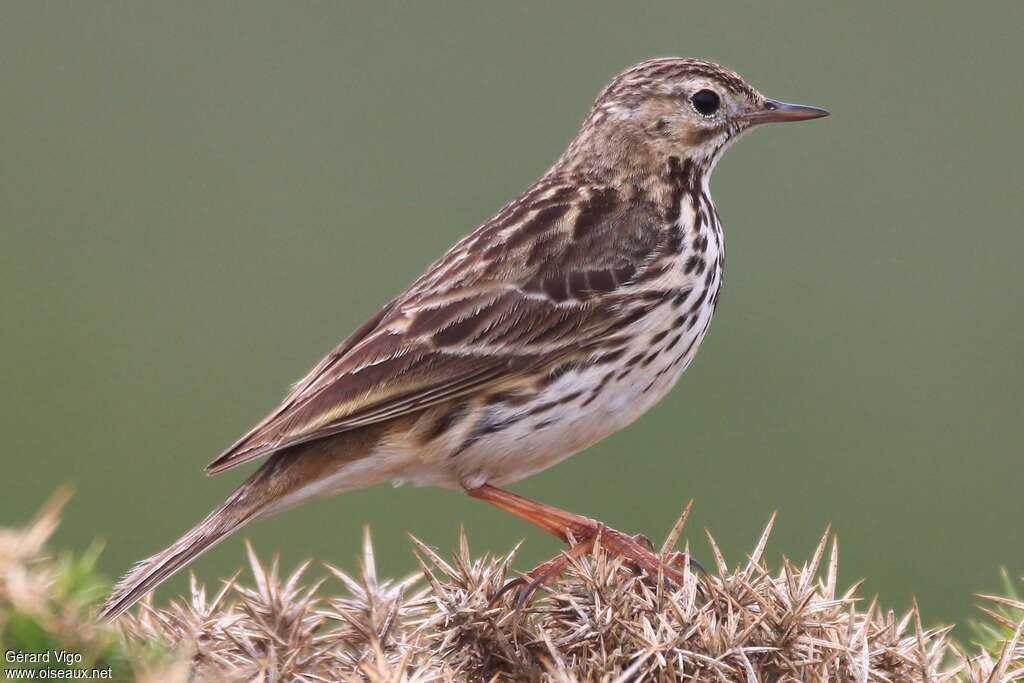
(247,503)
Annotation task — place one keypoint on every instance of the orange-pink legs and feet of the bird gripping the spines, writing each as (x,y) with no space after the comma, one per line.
(581,533)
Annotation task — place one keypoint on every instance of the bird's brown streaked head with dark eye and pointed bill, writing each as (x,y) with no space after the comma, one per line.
(674,107)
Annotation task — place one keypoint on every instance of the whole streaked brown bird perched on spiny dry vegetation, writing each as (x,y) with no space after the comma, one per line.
(551,326)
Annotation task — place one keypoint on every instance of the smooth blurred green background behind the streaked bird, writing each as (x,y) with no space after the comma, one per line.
(197,203)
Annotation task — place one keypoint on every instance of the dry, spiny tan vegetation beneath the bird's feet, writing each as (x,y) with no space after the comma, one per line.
(600,622)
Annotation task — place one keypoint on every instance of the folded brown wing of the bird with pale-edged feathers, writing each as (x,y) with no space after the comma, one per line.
(541,281)
